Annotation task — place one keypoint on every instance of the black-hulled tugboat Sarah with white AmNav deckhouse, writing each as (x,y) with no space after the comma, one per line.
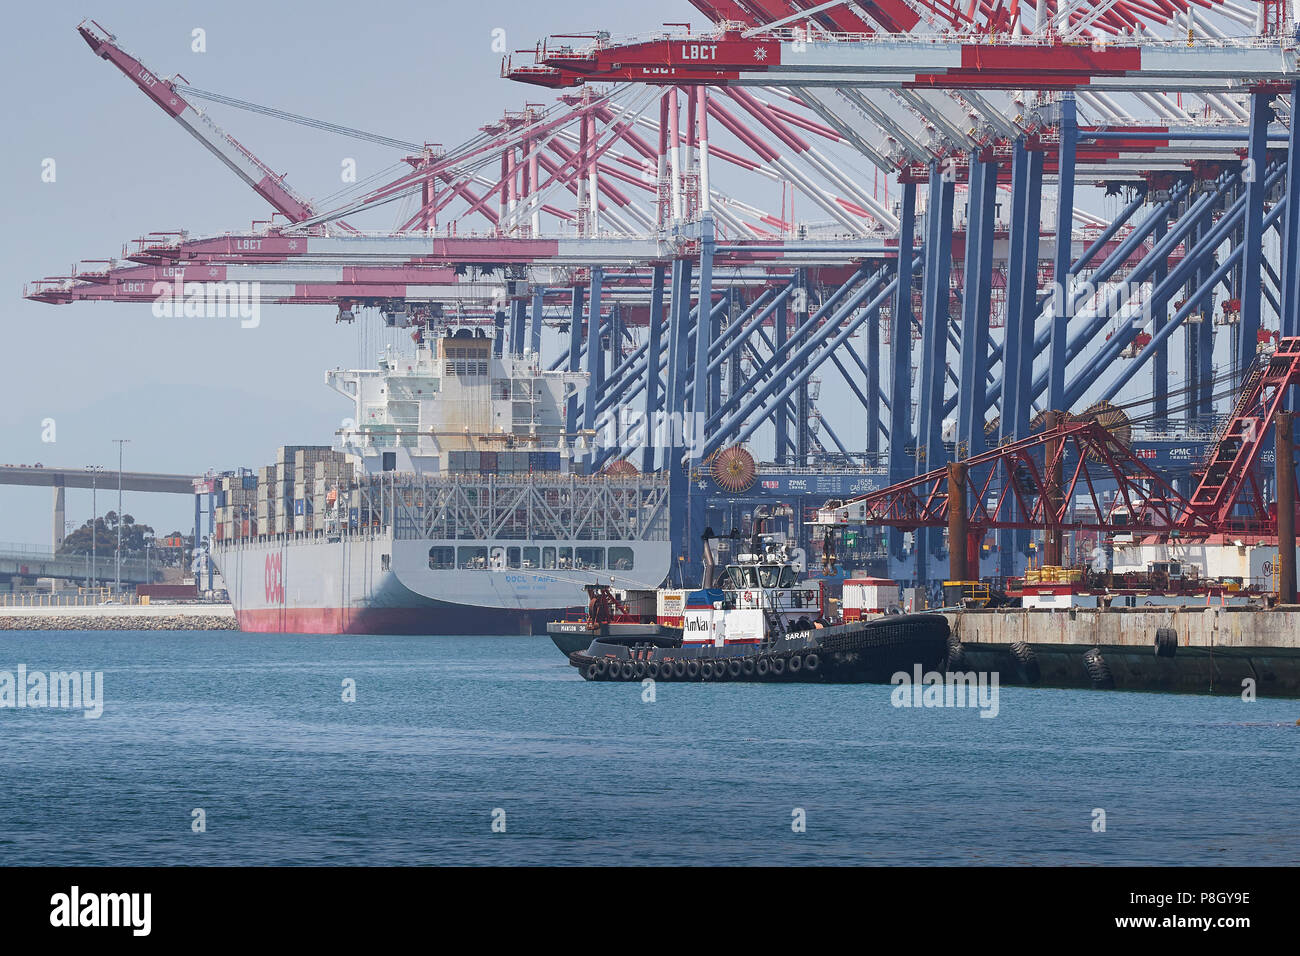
(755,621)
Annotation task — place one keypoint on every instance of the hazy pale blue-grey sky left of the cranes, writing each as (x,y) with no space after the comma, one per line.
(193,395)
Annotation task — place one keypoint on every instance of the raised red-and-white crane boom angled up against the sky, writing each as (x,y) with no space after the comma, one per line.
(270,185)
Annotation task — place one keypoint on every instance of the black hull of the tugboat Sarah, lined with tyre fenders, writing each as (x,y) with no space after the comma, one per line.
(861,652)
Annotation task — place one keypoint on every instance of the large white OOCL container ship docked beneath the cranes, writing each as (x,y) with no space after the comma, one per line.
(453,507)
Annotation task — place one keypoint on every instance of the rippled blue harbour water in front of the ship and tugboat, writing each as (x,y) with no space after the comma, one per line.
(445,730)
